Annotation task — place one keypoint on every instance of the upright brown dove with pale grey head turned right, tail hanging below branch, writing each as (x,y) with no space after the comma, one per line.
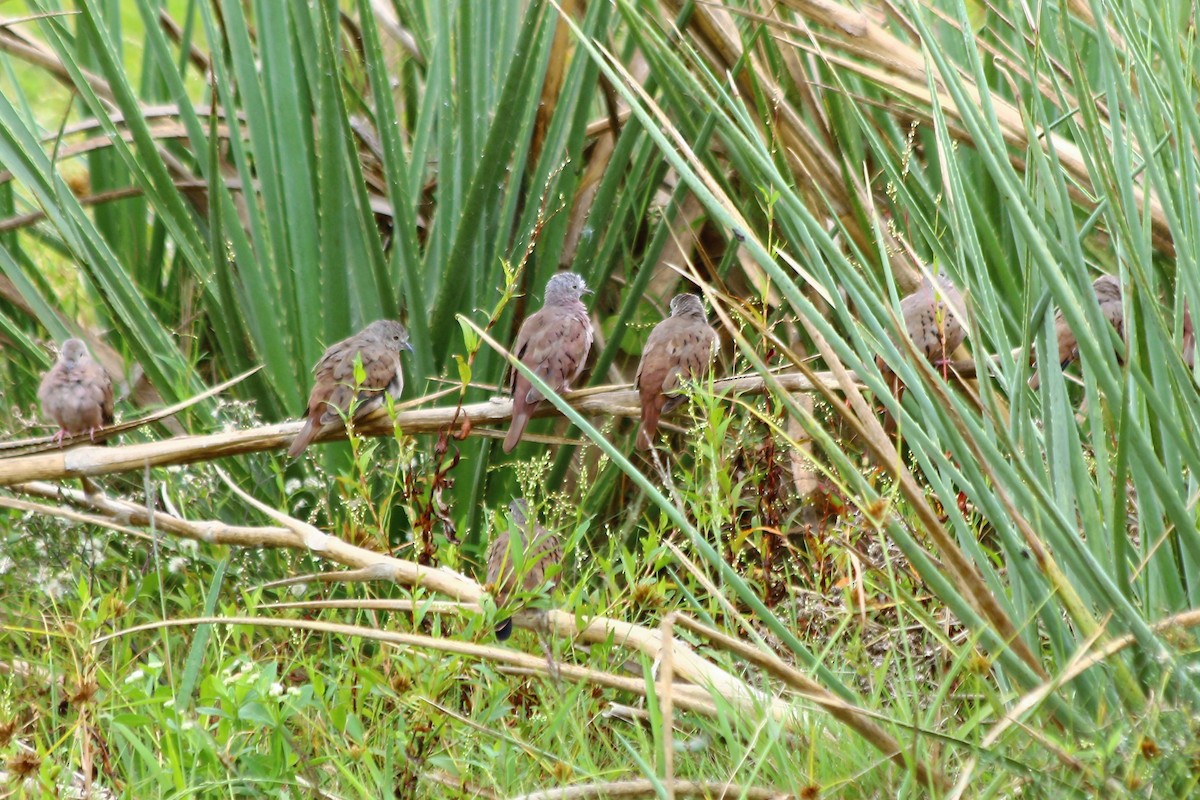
(554,344)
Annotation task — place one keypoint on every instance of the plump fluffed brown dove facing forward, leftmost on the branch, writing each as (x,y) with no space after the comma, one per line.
(77,393)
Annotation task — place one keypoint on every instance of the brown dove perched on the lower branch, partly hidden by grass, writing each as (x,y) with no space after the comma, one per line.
(531,560)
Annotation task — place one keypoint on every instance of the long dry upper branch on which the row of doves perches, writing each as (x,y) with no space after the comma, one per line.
(76,462)
